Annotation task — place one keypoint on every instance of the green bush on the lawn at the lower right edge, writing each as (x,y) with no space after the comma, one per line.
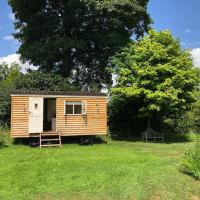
(191,162)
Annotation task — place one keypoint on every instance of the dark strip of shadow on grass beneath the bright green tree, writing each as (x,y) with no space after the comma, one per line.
(168,138)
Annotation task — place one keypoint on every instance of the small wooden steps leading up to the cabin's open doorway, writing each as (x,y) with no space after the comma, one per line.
(50,139)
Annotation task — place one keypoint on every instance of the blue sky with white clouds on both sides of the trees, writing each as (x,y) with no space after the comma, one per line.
(181,17)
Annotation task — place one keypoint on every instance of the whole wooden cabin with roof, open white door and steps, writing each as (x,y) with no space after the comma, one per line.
(47,113)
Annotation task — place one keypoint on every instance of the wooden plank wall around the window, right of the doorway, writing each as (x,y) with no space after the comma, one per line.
(93,123)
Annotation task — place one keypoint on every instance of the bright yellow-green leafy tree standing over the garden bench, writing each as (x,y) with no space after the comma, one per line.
(157,73)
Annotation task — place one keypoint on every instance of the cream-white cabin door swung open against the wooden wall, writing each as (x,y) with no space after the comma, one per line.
(35,115)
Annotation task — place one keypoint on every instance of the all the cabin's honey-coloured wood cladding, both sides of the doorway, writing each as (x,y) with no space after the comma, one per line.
(93,123)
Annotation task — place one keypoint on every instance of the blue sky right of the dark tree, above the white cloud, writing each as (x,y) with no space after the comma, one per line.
(179,16)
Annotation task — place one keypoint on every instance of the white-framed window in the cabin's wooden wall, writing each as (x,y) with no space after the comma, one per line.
(74,108)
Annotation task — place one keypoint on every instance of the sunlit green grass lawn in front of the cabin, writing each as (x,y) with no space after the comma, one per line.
(117,170)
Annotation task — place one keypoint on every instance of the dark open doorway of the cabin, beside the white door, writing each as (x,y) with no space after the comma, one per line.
(49,114)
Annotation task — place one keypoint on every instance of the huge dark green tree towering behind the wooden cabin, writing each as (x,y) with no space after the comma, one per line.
(77,37)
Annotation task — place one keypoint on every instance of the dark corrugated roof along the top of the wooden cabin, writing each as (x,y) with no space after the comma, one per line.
(64,93)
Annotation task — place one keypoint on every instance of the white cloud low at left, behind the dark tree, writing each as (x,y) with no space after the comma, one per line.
(14,58)
